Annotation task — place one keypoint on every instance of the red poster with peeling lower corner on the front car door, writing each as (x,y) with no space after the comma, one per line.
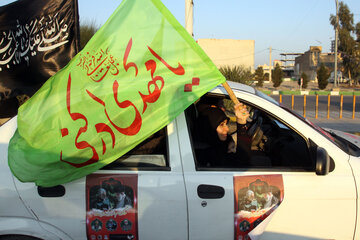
(256,198)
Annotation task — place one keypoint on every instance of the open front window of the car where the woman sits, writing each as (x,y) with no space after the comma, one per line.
(265,142)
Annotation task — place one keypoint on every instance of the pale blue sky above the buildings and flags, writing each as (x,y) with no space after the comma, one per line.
(287,26)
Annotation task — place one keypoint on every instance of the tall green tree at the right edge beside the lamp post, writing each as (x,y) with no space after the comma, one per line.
(349,41)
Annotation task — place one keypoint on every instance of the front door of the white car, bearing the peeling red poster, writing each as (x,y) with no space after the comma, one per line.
(309,205)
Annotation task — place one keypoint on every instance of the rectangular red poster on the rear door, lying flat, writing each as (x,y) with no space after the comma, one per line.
(111,206)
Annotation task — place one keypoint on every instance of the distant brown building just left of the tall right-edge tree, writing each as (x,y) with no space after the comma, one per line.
(311,60)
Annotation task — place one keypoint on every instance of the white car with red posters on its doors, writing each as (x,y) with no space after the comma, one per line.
(301,182)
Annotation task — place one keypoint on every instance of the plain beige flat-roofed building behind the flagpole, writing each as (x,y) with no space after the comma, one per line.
(229,52)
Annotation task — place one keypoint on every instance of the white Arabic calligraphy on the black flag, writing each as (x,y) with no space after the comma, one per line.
(35,36)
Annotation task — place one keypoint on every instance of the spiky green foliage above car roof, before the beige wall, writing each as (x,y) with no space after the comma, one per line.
(238,74)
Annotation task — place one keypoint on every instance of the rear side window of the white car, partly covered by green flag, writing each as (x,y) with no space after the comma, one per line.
(151,154)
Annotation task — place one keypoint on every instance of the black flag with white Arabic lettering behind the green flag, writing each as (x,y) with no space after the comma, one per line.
(37,39)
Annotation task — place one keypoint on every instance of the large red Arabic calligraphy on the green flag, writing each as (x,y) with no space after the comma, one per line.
(97,67)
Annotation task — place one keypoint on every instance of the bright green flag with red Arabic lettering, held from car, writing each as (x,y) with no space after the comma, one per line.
(137,73)
